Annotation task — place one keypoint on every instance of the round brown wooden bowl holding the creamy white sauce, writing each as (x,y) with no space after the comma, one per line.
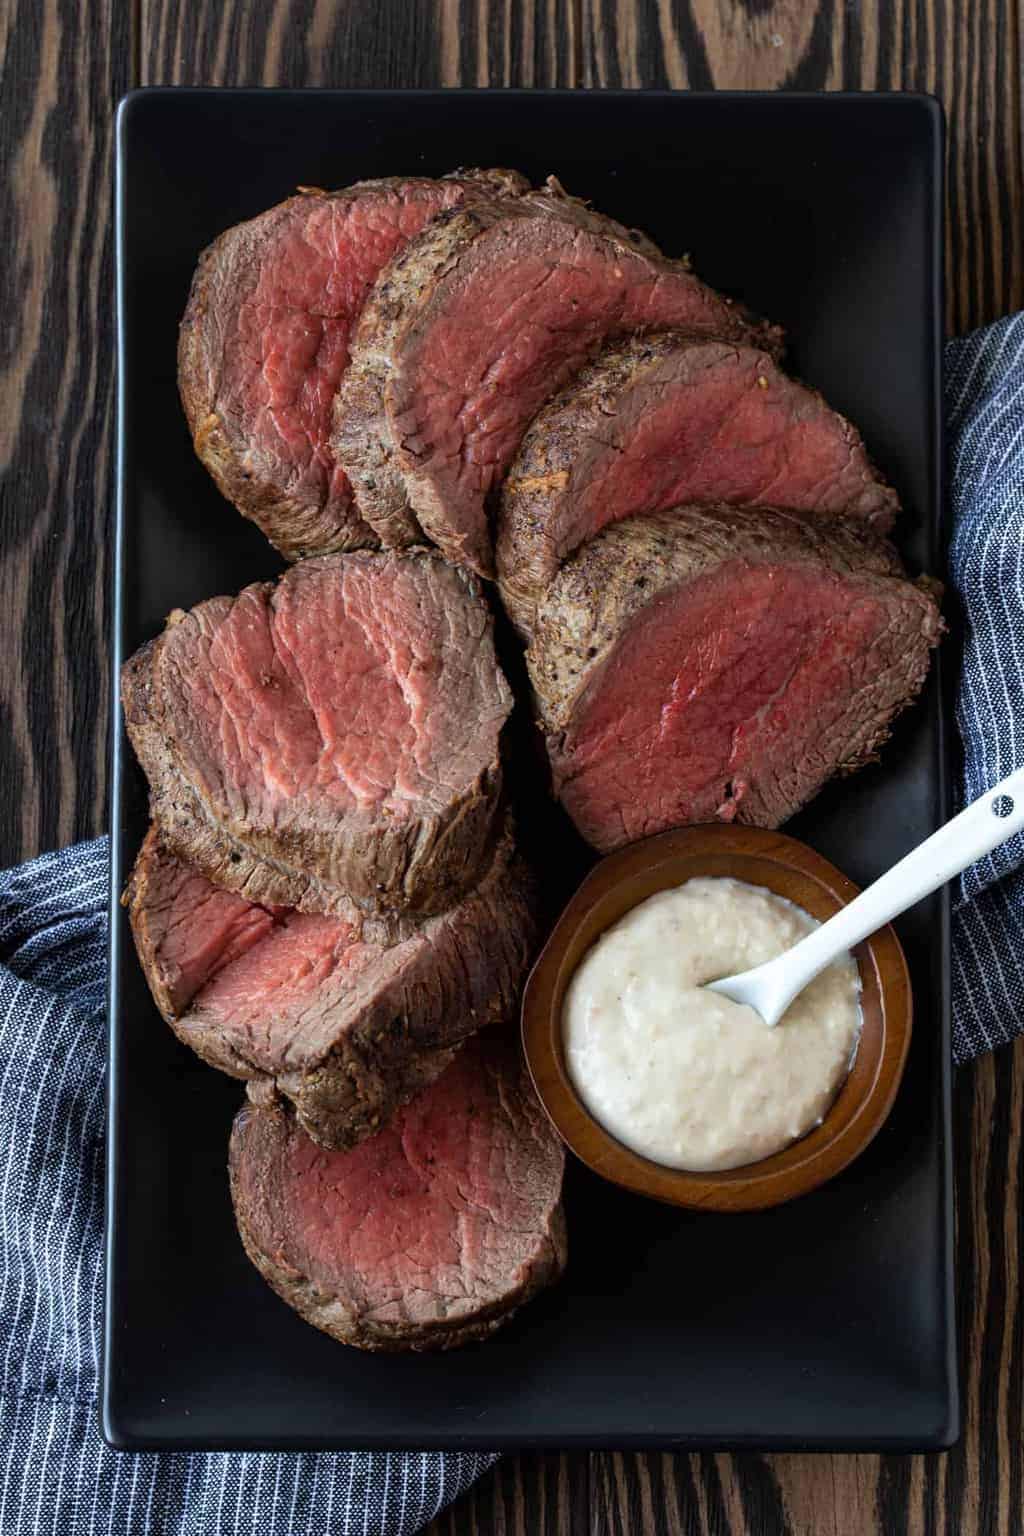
(793,870)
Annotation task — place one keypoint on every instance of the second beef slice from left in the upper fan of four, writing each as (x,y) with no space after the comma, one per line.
(478,322)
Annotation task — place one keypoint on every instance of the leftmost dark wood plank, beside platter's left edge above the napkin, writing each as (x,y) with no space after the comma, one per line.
(64,65)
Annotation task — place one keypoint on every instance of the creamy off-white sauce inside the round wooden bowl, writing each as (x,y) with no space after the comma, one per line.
(690,1079)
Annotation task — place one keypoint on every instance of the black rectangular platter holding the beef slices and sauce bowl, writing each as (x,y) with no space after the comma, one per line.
(824,1325)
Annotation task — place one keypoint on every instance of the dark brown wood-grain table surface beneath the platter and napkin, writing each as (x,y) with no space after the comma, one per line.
(65,64)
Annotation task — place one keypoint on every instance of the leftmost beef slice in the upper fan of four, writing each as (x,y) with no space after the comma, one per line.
(265,342)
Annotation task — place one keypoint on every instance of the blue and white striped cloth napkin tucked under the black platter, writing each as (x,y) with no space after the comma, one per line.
(56,1474)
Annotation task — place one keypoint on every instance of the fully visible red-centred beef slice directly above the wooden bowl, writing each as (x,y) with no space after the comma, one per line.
(721,663)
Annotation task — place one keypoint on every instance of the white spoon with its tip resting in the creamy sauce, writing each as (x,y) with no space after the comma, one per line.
(982,827)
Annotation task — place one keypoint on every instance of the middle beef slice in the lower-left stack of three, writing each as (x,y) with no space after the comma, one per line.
(339,1018)
